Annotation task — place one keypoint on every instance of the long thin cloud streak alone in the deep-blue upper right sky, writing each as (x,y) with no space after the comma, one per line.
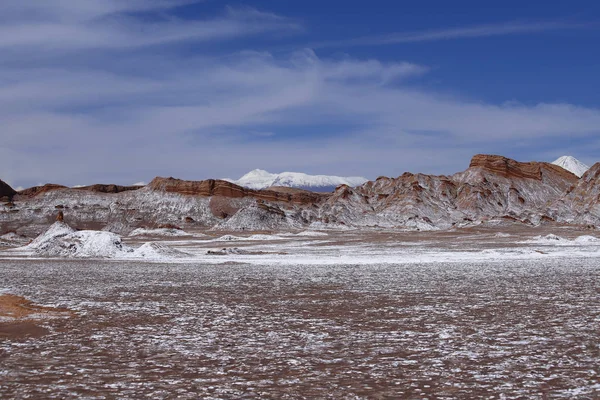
(465,32)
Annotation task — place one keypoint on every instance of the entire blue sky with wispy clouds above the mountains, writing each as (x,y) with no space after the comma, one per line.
(125,90)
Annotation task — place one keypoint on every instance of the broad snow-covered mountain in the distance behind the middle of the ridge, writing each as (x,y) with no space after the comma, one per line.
(260,179)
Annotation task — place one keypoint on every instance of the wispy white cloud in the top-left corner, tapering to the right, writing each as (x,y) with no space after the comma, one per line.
(76,25)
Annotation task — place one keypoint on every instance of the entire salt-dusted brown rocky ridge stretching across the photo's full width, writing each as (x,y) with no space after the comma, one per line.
(493,189)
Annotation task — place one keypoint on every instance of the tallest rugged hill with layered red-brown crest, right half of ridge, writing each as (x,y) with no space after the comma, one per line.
(492,187)
